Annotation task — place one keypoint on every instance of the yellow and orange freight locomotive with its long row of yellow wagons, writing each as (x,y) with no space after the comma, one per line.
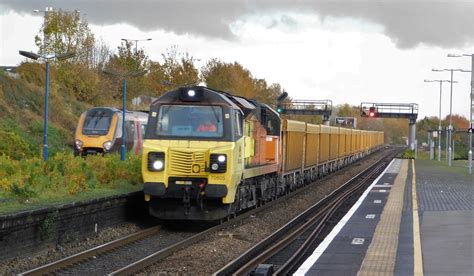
(208,155)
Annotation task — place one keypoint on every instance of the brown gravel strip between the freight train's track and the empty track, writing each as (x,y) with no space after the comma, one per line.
(214,252)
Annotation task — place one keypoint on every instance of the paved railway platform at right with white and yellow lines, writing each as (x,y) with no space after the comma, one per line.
(415,219)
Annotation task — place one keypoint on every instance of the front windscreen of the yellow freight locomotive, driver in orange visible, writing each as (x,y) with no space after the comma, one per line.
(190,121)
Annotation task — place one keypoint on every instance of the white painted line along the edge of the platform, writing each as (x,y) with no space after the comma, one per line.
(330,237)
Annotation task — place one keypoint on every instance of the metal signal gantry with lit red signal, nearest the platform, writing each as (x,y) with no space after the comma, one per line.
(393,110)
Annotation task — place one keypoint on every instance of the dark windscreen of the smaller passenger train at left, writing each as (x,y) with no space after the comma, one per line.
(97,121)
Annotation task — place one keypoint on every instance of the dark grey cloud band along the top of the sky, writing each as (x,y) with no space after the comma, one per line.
(407,23)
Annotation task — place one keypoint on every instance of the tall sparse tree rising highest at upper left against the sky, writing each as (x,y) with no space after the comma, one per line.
(63,32)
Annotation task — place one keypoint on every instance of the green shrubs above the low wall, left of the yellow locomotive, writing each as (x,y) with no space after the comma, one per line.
(63,176)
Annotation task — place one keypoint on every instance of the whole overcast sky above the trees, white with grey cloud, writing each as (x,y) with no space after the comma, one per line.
(346,51)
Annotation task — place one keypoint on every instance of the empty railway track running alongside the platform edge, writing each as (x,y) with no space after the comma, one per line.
(283,251)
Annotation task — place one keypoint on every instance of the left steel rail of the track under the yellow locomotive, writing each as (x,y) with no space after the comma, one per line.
(84,255)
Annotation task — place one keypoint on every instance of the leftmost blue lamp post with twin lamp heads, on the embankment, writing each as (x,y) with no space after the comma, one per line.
(46,58)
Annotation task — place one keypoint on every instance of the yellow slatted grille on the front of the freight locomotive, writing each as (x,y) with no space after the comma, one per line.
(181,162)
